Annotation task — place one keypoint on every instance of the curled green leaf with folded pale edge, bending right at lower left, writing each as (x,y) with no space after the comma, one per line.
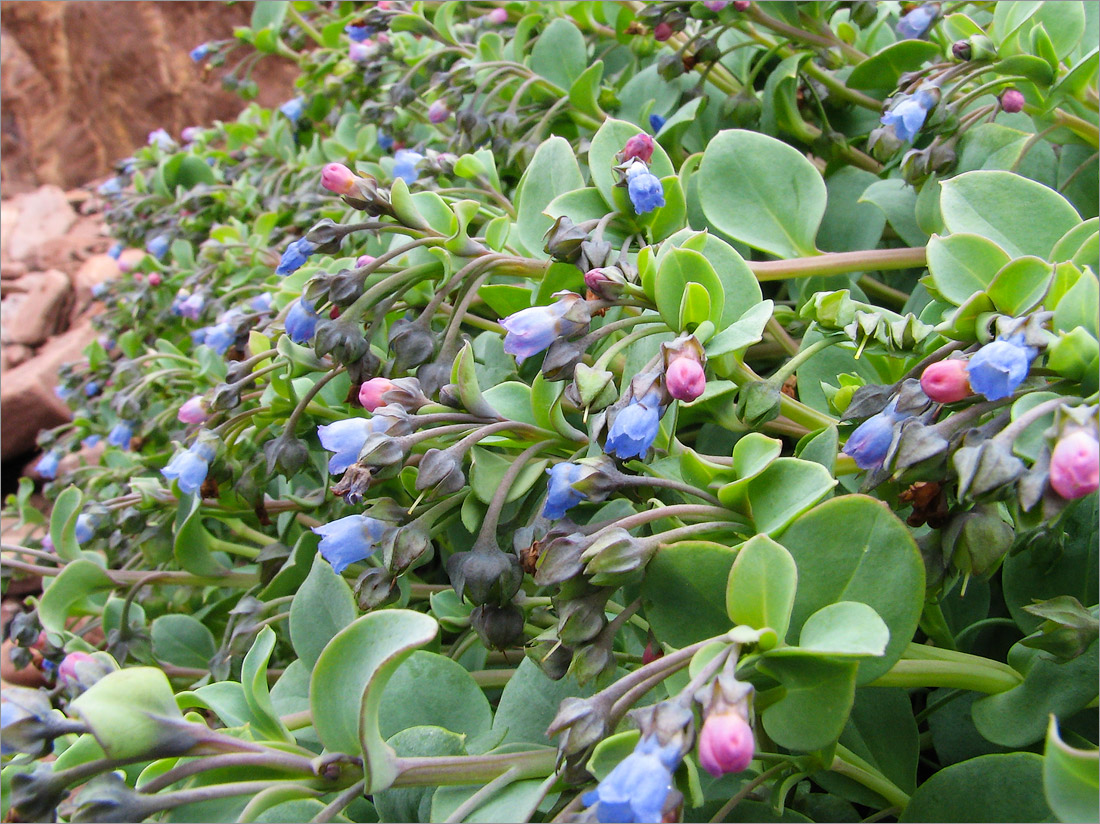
(350,677)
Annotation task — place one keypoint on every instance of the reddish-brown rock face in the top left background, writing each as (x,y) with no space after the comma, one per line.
(84,84)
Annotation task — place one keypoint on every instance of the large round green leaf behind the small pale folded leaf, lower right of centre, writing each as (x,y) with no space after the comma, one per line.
(854,548)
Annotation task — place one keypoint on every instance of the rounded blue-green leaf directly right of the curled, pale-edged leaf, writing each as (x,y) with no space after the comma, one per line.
(432,690)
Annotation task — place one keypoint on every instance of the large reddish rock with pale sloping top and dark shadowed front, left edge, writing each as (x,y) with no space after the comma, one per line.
(28,403)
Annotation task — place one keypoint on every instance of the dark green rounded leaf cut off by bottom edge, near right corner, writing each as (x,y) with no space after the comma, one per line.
(1006,788)
